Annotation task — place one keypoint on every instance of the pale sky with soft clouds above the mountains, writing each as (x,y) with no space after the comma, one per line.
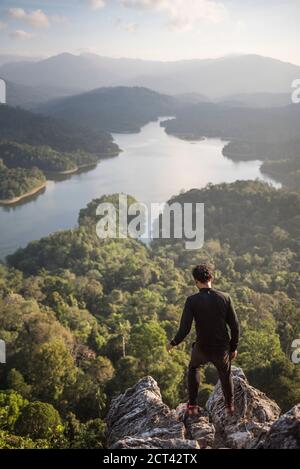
(151,29)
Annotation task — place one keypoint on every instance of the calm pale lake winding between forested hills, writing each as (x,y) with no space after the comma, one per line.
(152,167)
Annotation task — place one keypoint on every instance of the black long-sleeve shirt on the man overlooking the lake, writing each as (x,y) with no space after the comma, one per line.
(213,312)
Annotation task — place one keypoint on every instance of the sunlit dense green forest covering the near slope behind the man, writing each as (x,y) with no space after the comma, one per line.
(84,318)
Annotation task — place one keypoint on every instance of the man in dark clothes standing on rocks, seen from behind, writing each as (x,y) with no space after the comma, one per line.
(213,312)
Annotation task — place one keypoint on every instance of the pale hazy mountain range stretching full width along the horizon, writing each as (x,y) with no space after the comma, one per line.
(215,78)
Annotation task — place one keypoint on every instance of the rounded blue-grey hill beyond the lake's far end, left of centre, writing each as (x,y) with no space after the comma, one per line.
(119,109)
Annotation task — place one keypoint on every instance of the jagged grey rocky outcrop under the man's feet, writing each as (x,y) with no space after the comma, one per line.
(139,419)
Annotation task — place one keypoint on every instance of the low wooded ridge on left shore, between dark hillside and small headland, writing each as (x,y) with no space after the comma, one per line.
(43,157)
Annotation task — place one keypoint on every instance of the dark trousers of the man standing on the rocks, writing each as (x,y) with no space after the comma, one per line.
(221,360)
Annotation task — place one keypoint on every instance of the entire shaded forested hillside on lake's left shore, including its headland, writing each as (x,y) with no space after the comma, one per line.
(30,141)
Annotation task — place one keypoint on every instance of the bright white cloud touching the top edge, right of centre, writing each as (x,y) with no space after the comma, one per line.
(183,14)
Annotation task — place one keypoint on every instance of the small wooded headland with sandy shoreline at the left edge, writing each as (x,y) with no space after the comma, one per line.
(18,181)
